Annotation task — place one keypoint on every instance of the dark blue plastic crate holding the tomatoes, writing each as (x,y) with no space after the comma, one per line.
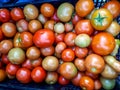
(16,85)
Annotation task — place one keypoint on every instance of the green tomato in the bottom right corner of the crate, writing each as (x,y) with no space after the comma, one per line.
(107,84)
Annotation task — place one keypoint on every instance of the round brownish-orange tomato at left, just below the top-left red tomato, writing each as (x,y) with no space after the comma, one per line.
(9,29)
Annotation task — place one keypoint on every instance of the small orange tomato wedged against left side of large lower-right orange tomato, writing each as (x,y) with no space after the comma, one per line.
(80,64)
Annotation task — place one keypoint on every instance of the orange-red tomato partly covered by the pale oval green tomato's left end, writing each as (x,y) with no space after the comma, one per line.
(69,38)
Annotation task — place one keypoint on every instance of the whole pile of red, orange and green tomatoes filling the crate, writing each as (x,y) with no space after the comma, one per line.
(68,44)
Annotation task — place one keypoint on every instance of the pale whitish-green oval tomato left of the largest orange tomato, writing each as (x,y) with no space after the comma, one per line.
(82,40)
